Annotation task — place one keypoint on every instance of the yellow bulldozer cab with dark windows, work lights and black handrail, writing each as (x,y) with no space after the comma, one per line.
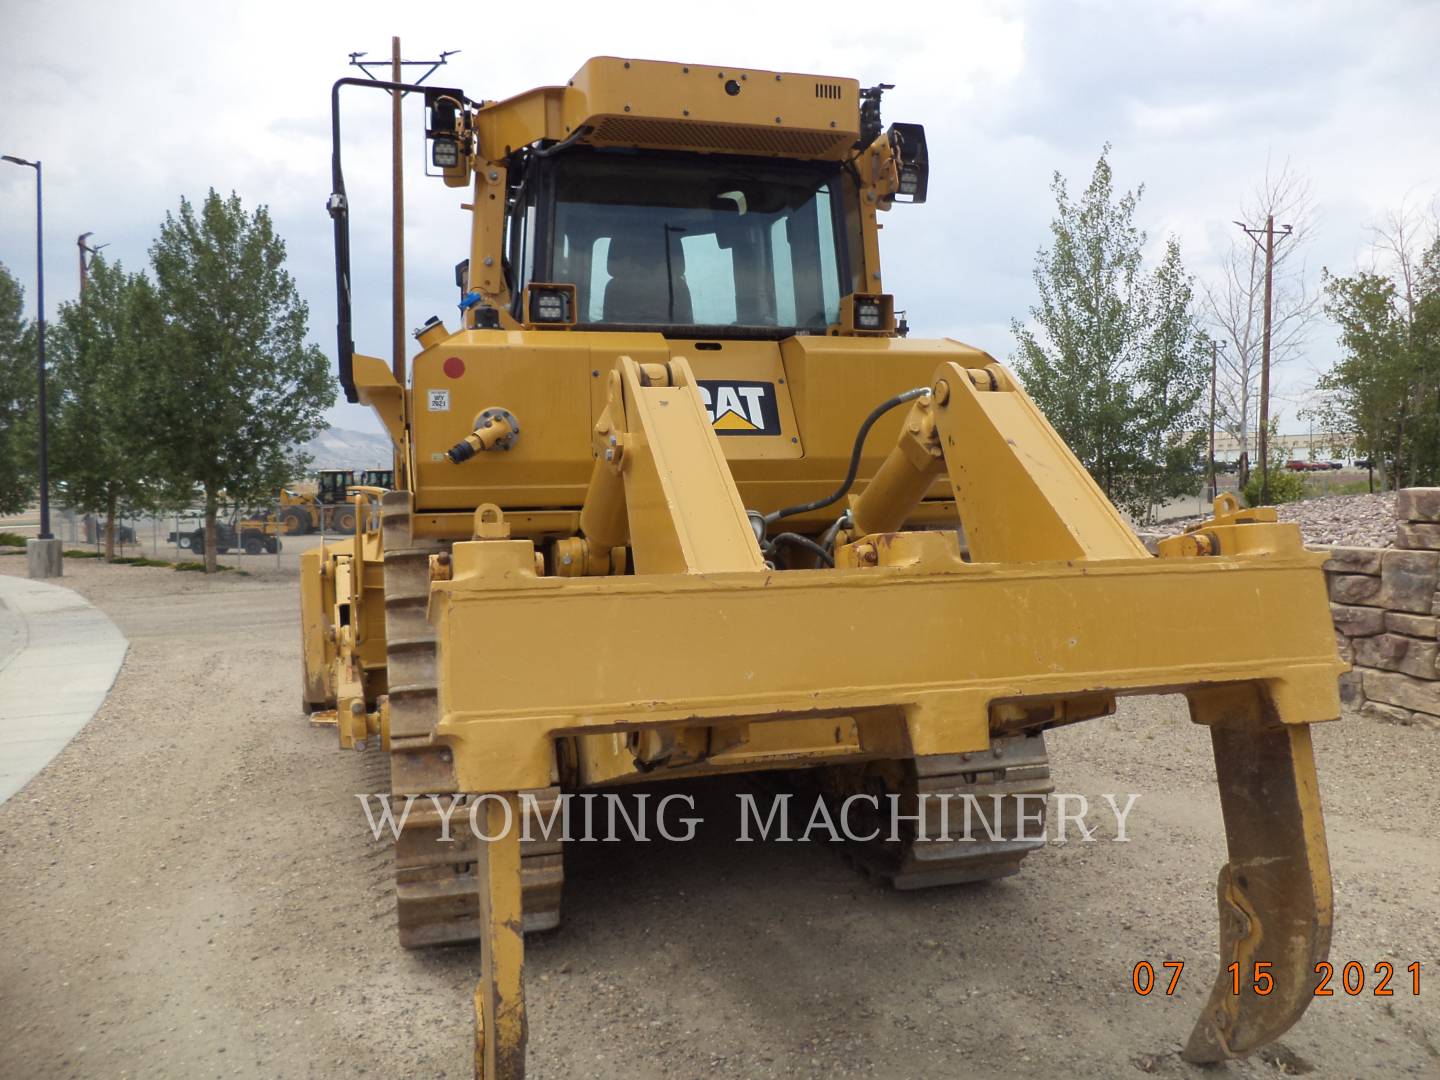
(640,197)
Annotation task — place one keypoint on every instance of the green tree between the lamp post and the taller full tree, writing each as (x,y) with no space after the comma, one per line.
(102,444)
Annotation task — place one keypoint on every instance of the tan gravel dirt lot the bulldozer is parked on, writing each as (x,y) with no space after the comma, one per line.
(191,891)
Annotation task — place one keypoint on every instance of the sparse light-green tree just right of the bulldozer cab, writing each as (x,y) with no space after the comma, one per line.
(1114,355)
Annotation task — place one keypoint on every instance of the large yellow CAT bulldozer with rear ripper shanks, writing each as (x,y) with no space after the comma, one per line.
(680,449)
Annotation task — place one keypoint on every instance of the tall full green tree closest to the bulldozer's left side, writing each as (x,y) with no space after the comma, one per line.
(237,387)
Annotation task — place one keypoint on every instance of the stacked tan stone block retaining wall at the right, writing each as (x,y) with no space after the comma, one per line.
(1386,604)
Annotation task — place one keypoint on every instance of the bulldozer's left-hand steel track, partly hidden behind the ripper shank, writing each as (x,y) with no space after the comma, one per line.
(436,886)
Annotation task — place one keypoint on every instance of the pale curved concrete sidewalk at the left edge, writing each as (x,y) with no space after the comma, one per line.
(58,660)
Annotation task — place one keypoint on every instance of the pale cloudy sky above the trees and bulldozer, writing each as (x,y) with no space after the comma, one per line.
(133,106)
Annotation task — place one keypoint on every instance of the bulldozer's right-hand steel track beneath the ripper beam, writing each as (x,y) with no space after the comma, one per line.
(1016,765)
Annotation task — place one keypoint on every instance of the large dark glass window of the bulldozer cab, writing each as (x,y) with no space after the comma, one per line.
(698,244)
